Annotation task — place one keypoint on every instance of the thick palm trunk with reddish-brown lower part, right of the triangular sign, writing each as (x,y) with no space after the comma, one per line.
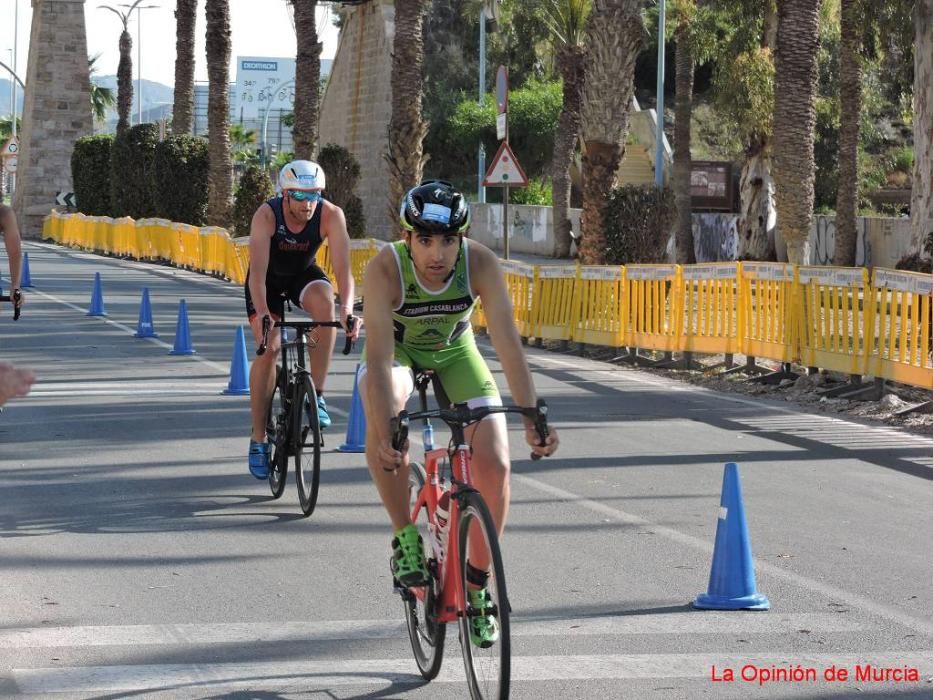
(615,35)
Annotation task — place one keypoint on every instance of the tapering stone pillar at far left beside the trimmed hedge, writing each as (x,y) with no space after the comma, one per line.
(56,109)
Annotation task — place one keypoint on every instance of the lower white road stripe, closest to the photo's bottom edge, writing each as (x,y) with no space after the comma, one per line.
(320,675)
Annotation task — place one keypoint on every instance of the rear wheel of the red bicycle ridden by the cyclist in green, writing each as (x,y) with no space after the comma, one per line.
(425,632)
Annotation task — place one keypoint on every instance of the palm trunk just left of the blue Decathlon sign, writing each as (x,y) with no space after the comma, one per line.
(220,173)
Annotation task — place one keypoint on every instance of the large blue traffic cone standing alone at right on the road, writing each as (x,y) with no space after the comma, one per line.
(732,575)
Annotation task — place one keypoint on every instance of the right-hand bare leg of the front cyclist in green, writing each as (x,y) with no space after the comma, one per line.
(491,468)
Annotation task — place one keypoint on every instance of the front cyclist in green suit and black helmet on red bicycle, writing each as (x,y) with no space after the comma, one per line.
(420,292)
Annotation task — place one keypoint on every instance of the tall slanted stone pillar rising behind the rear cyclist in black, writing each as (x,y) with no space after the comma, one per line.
(357,104)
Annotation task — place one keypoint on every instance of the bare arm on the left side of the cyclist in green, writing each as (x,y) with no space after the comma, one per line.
(381,287)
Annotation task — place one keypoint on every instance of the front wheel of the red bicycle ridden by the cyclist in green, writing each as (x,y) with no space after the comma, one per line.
(488,669)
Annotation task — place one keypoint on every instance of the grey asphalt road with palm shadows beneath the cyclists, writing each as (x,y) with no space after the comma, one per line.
(138,558)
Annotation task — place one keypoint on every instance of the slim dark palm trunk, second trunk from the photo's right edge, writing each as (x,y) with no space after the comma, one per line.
(850,94)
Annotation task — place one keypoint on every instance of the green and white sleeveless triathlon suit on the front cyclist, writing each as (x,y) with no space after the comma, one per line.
(433,331)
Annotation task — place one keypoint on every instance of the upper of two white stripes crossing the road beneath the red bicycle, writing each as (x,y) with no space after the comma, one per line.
(697,622)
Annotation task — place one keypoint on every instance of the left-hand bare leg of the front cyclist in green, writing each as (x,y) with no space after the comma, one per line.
(392,486)
